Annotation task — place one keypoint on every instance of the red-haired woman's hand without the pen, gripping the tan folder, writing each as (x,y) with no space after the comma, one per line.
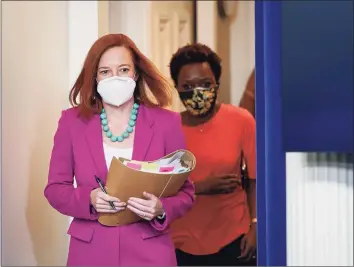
(148,208)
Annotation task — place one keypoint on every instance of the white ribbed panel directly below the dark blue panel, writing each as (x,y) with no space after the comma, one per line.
(319,209)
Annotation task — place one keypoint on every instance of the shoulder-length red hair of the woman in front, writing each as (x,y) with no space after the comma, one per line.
(85,87)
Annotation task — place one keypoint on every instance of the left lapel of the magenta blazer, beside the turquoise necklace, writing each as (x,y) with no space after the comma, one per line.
(95,143)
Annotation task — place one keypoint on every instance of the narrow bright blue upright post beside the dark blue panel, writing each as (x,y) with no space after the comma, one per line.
(271,180)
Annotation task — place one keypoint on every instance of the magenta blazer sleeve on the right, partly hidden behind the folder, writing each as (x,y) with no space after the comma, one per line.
(176,206)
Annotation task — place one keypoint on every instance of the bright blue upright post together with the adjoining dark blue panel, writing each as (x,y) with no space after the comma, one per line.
(304,100)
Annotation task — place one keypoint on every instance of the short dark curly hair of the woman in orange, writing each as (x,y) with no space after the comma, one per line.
(194,53)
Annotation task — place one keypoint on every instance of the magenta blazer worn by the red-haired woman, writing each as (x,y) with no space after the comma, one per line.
(78,151)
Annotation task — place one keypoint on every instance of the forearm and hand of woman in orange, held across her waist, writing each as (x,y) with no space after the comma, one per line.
(222,184)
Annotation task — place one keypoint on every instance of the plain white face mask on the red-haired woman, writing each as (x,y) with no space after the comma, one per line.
(116,90)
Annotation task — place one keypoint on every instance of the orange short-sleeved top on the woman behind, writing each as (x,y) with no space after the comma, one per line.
(217,220)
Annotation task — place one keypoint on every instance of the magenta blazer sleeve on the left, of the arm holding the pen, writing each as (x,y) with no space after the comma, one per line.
(60,191)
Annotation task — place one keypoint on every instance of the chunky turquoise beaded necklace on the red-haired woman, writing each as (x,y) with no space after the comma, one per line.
(127,132)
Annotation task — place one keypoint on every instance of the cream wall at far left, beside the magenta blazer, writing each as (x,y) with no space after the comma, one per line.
(34,90)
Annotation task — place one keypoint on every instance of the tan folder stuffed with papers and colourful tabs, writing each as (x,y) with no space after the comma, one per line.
(162,178)
